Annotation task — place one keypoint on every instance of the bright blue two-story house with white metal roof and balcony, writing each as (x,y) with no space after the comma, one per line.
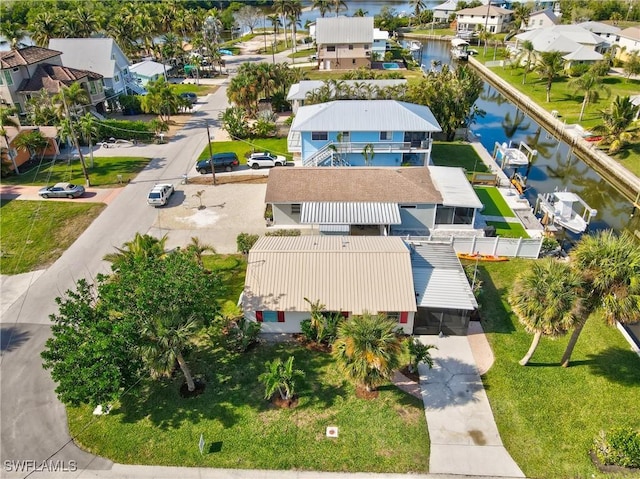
(363,133)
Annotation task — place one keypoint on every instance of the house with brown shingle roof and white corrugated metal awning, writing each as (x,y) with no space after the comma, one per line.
(416,201)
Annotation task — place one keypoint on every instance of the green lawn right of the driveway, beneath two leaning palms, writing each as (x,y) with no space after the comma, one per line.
(547,415)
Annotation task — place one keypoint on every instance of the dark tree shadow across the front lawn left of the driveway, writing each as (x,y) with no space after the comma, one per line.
(231,386)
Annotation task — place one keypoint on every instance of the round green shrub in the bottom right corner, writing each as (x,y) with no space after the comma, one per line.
(618,447)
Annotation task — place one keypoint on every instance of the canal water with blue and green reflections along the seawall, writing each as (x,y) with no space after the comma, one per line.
(554,167)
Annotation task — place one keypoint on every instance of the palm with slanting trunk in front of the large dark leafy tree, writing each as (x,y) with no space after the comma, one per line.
(164,340)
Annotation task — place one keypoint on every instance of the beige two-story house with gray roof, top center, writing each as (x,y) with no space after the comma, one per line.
(344,43)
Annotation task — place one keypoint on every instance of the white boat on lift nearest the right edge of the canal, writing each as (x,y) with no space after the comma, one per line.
(565,209)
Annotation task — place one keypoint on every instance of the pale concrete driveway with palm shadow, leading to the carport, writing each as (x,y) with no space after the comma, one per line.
(464,436)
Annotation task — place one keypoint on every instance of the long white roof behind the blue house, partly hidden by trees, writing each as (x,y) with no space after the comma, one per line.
(350,89)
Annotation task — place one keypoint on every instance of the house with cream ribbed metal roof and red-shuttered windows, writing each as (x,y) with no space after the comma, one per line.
(352,275)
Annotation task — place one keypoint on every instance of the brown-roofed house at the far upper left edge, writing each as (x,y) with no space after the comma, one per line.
(26,71)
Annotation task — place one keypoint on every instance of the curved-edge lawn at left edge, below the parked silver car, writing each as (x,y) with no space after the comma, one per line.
(36,233)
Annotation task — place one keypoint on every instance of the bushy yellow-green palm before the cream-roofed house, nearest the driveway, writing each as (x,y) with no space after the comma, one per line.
(367,349)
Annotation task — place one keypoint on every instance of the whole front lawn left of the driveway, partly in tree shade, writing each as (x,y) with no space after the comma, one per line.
(243,430)
